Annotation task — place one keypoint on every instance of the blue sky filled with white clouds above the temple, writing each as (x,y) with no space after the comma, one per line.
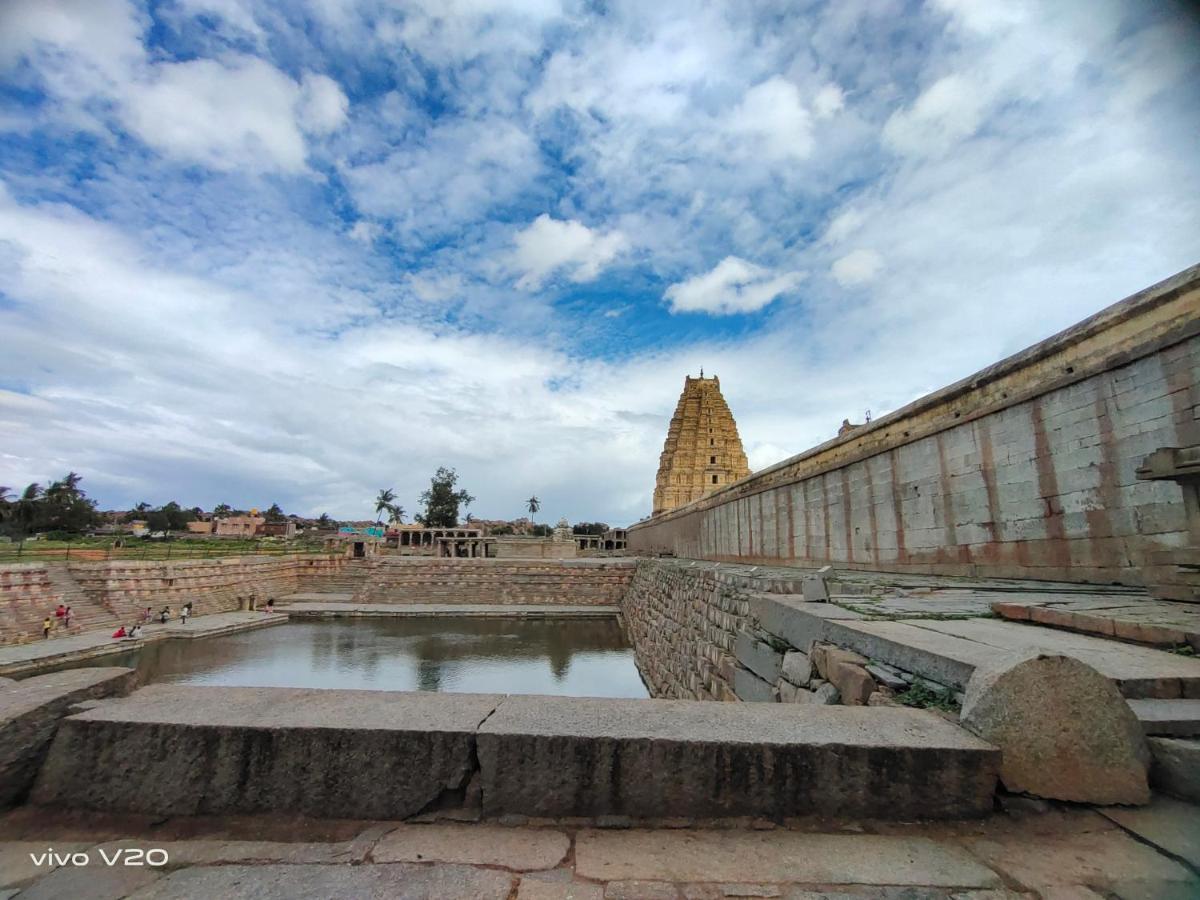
(297,253)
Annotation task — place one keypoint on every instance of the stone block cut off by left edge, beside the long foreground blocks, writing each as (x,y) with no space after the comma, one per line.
(31,712)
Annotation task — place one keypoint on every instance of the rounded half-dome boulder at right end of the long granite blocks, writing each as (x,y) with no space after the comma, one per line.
(1064,729)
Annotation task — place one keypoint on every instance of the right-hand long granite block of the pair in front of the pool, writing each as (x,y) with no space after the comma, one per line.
(646,759)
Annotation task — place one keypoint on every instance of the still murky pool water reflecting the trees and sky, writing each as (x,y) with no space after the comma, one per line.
(579,658)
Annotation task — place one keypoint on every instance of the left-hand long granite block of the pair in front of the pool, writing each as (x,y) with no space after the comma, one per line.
(193,751)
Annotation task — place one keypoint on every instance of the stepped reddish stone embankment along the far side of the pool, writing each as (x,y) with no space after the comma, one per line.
(424,580)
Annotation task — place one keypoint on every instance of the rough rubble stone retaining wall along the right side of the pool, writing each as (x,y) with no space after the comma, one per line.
(706,634)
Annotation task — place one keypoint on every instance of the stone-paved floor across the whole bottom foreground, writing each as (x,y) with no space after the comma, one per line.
(1031,850)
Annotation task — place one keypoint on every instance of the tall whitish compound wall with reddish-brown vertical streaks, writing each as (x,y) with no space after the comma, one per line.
(1025,470)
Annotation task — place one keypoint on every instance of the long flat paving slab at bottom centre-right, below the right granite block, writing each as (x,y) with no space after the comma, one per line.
(735,857)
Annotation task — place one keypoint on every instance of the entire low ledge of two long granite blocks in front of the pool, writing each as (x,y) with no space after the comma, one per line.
(533,757)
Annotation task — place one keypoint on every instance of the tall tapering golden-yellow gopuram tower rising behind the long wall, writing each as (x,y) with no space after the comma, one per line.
(704,452)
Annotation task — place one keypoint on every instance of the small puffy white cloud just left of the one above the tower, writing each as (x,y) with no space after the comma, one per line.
(549,245)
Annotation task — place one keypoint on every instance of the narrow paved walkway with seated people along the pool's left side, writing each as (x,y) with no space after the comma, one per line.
(26,658)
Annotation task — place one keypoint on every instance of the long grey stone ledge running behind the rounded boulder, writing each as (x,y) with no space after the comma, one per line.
(950,651)
